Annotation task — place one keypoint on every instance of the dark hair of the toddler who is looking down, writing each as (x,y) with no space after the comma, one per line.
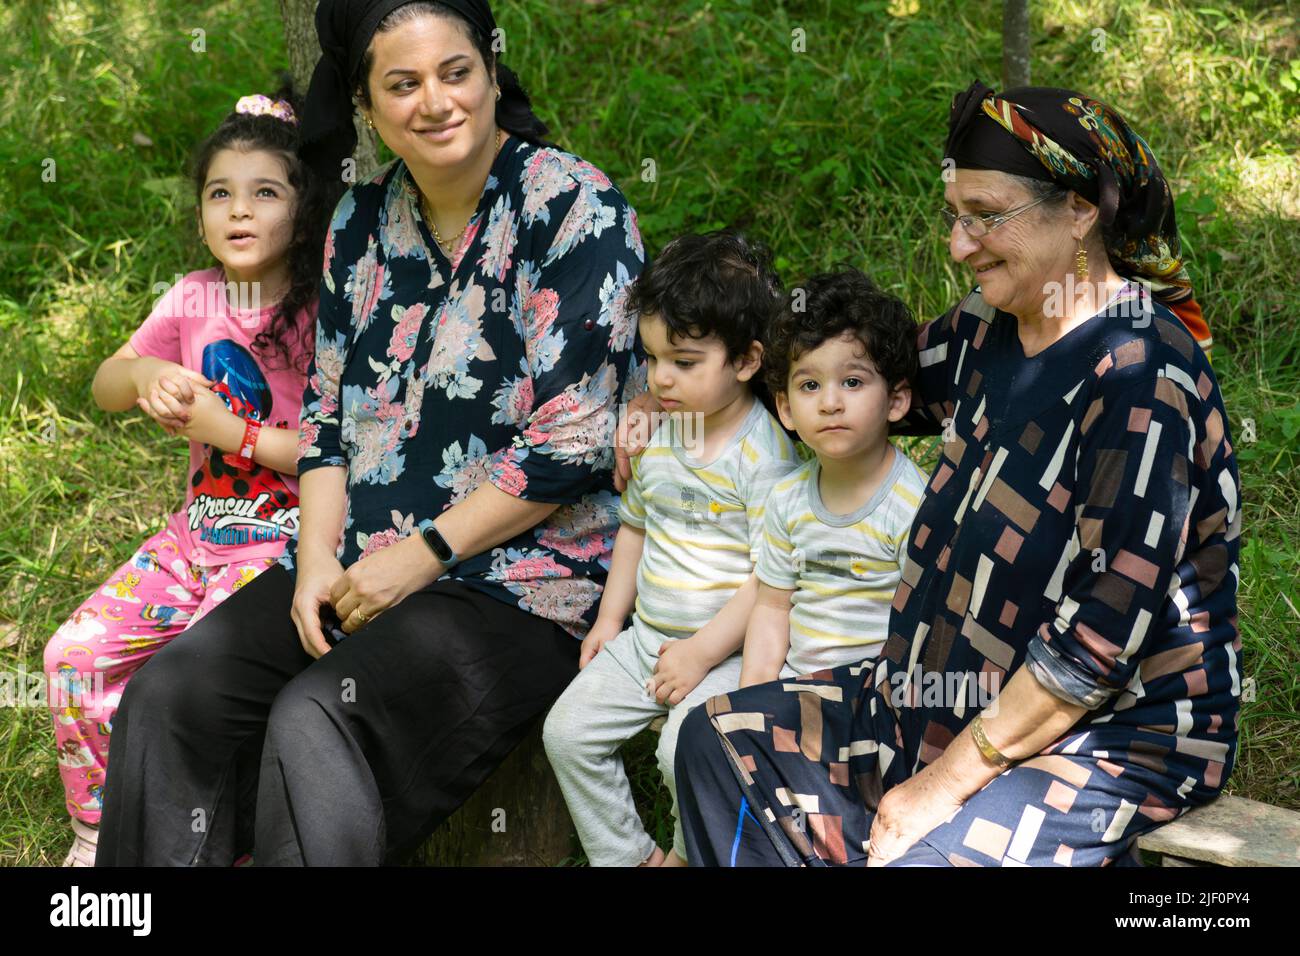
(718,284)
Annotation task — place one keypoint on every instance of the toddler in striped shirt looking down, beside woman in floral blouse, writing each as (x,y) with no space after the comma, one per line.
(692,526)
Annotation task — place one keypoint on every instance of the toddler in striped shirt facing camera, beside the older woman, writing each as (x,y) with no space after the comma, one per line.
(839,360)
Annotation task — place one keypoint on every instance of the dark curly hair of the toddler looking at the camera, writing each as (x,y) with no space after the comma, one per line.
(827,306)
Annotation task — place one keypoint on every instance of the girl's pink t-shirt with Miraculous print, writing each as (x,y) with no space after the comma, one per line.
(229,514)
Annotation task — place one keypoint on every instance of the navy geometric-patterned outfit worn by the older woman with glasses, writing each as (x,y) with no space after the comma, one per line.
(1084,521)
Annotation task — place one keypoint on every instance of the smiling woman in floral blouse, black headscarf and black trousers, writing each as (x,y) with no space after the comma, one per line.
(457,501)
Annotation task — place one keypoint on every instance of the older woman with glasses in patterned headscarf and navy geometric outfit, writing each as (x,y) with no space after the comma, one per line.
(1063,668)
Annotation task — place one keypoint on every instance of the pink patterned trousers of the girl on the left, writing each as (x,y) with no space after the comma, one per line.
(145,604)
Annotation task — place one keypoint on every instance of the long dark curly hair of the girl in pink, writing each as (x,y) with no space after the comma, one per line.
(315,204)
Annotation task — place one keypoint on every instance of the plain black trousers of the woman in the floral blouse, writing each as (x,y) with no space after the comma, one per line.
(233,738)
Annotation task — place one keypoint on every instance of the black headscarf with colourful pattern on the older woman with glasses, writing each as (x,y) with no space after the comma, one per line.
(1087,148)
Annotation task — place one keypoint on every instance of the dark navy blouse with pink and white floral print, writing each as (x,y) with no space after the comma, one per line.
(506,365)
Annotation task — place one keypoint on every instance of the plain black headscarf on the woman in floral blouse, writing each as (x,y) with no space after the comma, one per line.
(345,29)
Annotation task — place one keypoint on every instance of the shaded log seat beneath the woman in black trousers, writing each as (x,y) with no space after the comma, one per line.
(517,819)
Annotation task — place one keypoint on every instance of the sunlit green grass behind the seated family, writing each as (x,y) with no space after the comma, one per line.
(830,155)
